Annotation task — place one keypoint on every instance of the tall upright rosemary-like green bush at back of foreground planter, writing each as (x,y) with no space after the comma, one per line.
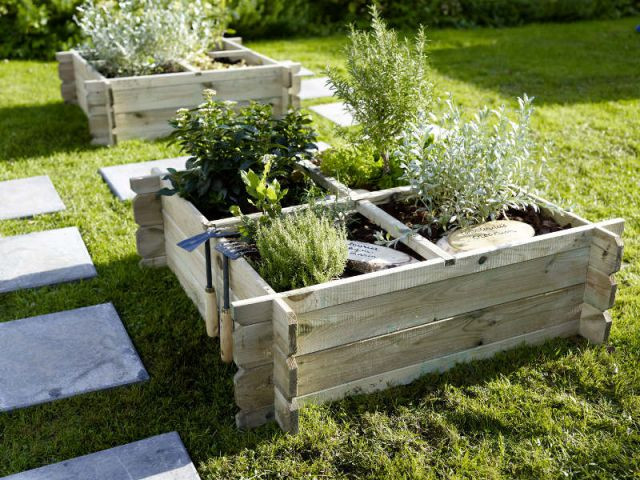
(387,83)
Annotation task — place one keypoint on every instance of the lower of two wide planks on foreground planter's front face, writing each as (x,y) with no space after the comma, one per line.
(330,368)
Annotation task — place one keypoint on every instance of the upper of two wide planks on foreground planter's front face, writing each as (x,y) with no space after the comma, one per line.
(382,314)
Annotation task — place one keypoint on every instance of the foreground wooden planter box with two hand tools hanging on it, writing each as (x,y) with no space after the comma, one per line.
(366,333)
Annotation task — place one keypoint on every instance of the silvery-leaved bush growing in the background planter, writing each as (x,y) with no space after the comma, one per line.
(141,37)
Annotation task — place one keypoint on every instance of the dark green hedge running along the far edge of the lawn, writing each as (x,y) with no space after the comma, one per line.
(39,28)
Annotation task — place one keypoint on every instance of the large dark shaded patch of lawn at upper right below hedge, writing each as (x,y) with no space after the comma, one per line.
(575,63)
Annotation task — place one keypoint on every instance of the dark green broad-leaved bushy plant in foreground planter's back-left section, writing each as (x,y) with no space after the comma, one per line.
(224,141)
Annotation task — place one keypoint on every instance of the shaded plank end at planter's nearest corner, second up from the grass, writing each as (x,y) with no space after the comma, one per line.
(253,388)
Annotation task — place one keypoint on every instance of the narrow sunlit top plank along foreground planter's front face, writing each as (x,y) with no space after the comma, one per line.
(378,283)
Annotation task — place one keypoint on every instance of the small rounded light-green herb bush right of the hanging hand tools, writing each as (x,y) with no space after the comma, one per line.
(302,249)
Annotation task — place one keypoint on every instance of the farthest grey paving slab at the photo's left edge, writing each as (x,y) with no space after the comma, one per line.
(26,197)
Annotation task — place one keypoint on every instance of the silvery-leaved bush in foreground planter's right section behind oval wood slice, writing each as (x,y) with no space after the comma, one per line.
(465,172)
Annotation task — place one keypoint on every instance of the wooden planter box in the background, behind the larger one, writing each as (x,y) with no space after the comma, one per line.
(140,107)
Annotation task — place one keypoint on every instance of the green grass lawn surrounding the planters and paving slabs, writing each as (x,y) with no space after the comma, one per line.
(564,410)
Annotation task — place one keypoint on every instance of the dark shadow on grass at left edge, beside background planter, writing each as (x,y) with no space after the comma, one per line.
(42,130)
